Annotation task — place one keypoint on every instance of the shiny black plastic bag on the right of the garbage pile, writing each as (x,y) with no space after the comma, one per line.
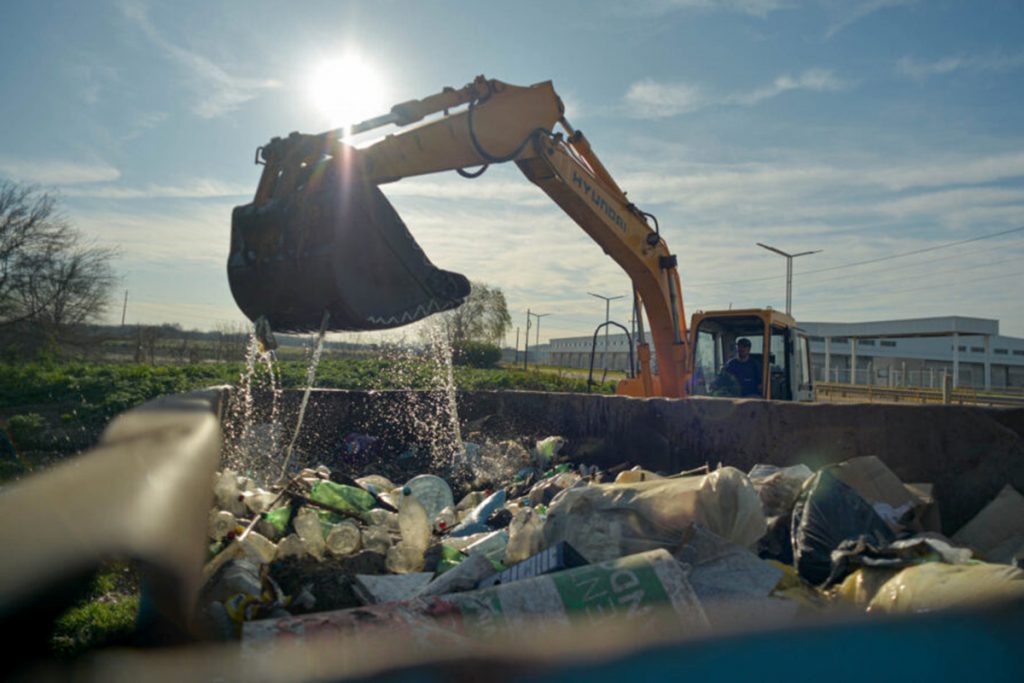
(828,514)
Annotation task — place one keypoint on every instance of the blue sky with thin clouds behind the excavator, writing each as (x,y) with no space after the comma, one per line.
(864,129)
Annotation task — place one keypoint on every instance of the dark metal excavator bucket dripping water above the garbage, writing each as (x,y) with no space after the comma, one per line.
(335,244)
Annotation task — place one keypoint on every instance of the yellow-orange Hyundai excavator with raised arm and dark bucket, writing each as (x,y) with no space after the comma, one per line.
(321,247)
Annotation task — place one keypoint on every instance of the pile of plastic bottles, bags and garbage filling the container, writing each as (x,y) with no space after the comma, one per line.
(713,548)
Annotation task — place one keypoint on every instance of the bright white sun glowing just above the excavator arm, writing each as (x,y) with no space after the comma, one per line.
(348,91)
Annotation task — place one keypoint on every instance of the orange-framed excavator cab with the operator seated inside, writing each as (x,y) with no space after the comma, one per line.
(778,346)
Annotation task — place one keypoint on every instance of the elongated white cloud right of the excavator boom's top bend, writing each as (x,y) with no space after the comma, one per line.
(651,100)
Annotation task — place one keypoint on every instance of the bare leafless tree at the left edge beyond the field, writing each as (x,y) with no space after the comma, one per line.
(51,278)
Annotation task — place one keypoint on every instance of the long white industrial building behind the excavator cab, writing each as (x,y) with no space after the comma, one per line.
(919,353)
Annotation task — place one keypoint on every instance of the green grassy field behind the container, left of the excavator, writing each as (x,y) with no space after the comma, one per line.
(50,411)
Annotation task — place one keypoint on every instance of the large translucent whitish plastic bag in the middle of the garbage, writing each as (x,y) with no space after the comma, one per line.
(606,522)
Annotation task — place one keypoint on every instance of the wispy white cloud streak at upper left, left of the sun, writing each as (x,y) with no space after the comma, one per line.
(218,92)
